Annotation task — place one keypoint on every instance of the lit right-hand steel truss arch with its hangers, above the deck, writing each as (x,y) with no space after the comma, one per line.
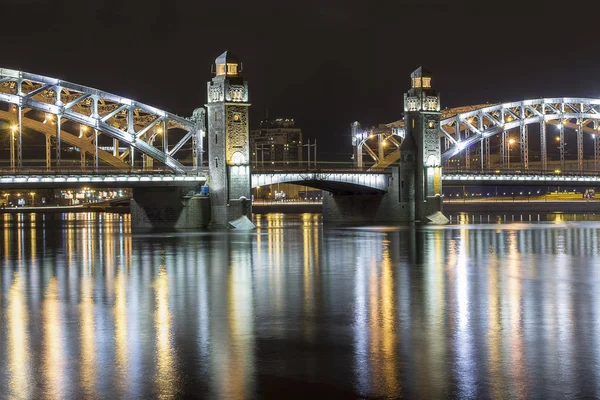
(469,134)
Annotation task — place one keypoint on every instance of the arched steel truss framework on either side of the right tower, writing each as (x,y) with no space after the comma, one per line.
(465,127)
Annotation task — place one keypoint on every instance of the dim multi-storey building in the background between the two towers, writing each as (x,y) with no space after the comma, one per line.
(276,141)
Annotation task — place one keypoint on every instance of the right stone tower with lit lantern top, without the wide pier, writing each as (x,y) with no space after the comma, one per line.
(420,171)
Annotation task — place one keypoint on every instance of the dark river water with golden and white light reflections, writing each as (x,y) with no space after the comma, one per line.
(293,310)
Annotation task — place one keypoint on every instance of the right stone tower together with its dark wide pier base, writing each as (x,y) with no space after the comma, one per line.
(414,192)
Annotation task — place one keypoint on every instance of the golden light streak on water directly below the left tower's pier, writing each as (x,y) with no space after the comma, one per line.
(165,362)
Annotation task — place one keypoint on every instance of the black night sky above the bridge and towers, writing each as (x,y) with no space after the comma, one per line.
(324,63)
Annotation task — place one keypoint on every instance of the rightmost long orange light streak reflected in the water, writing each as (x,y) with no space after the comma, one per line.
(515,339)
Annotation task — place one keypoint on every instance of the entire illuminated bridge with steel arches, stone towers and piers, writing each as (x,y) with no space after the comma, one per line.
(94,138)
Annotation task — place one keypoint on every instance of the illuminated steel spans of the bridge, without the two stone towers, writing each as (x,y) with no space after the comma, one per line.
(124,143)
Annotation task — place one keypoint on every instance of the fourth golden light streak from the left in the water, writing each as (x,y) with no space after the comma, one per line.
(121,332)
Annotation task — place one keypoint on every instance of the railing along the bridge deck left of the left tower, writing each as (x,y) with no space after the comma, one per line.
(41,171)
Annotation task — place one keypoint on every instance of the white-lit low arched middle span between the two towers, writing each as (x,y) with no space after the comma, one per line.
(333,183)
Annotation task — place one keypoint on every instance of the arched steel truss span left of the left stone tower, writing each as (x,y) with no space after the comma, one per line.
(132,125)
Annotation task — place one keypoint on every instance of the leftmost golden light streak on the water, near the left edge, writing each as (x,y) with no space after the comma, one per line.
(18,341)
